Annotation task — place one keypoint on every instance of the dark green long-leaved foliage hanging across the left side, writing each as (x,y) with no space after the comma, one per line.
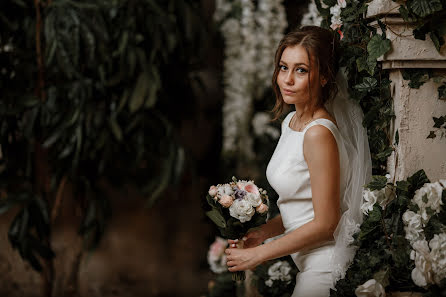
(96,110)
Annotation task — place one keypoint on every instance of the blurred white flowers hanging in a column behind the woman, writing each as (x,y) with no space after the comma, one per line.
(250,41)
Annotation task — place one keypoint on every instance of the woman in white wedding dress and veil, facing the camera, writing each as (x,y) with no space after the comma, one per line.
(318,168)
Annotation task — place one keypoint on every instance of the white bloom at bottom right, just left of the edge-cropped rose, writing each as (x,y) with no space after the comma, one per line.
(422,273)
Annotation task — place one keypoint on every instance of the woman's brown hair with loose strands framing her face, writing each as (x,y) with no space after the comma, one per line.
(323,46)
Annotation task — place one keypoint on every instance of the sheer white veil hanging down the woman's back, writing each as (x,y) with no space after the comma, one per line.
(349,118)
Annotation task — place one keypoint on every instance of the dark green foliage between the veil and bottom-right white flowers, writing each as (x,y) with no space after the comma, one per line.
(383,252)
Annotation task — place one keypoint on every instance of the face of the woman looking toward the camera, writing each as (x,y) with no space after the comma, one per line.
(293,78)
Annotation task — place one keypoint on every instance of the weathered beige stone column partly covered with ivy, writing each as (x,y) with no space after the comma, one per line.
(414,108)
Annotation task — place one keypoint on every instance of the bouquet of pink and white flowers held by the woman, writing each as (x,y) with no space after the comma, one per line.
(237,207)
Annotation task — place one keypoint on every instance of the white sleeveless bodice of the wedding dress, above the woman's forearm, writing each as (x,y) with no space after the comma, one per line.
(288,173)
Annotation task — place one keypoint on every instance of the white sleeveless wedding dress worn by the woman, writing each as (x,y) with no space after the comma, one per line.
(288,174)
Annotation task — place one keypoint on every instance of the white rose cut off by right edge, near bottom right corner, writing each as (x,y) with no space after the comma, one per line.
(438,256)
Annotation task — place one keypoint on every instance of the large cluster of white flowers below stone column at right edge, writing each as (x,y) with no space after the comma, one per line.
(430,258)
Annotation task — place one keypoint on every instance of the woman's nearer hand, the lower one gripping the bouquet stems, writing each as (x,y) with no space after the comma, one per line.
(242,259)
